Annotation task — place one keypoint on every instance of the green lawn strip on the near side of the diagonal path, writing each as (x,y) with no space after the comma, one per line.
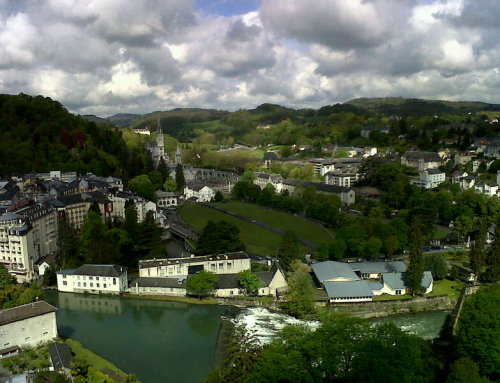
(257,239)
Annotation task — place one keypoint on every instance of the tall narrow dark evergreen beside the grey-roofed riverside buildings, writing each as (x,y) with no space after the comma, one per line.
(416,266)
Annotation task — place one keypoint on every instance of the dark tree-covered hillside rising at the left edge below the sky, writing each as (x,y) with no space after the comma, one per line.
(38,134)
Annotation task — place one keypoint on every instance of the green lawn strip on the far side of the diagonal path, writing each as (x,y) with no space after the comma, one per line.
(284,221)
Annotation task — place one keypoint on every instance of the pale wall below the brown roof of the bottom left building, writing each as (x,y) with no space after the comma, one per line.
(29,332)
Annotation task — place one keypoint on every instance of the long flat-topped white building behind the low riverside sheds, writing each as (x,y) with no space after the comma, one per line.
(230,263)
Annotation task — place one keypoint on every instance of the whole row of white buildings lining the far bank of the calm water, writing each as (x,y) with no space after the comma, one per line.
(169,277)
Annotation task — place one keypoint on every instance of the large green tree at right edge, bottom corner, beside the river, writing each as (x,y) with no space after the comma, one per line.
(478,332)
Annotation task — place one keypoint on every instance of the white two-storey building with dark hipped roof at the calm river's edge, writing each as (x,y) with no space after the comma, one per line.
(94,279)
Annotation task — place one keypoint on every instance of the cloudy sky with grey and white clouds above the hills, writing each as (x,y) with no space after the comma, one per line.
(109,56)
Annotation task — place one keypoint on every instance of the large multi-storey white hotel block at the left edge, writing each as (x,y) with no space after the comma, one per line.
(25,236)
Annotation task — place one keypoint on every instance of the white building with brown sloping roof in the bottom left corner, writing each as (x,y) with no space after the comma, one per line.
(26,325)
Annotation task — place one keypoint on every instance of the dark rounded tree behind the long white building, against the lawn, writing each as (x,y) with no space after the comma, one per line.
(218,238)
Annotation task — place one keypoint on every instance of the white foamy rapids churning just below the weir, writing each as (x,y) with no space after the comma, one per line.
(265,324)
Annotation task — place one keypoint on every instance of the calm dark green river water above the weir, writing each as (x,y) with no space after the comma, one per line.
(157,341)
